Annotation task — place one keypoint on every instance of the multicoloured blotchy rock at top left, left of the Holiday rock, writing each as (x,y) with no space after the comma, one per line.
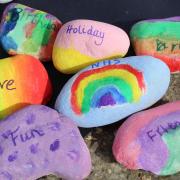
(24,30)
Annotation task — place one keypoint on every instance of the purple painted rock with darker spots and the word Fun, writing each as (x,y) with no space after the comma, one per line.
(37,141)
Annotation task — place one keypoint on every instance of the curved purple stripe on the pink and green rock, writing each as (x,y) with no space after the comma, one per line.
(154,152)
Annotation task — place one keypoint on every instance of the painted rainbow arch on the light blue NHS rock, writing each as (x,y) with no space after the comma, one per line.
(106,86)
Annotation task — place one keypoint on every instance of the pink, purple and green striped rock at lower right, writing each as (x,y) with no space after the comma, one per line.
(150,139)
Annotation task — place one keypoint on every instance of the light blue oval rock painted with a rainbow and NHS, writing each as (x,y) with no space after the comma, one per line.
(110,90)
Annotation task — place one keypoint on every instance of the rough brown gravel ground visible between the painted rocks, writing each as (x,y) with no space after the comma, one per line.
(99,141)
